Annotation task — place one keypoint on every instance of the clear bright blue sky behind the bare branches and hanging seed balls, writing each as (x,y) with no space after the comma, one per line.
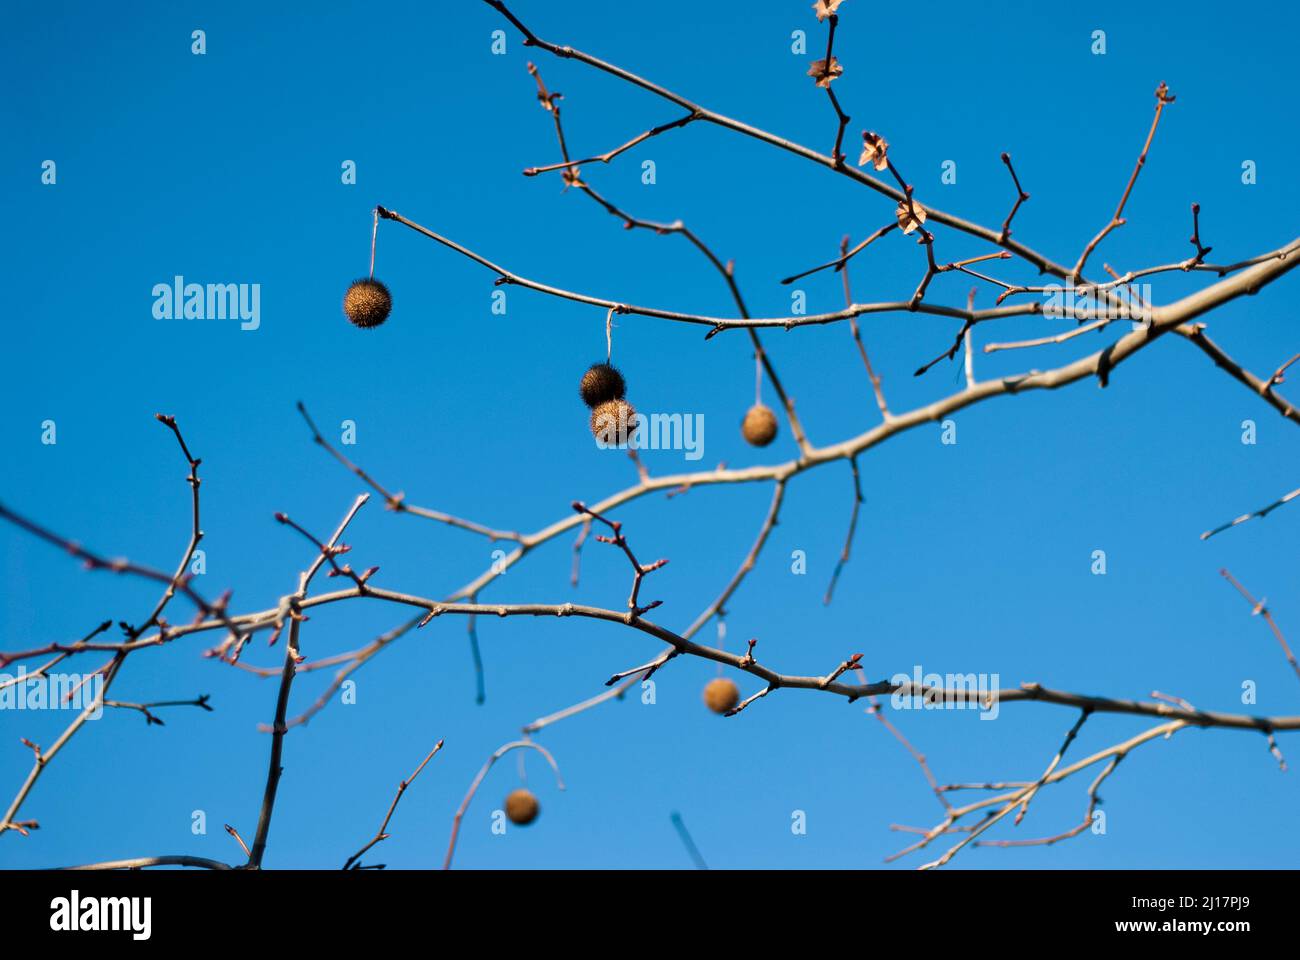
(970,557)
